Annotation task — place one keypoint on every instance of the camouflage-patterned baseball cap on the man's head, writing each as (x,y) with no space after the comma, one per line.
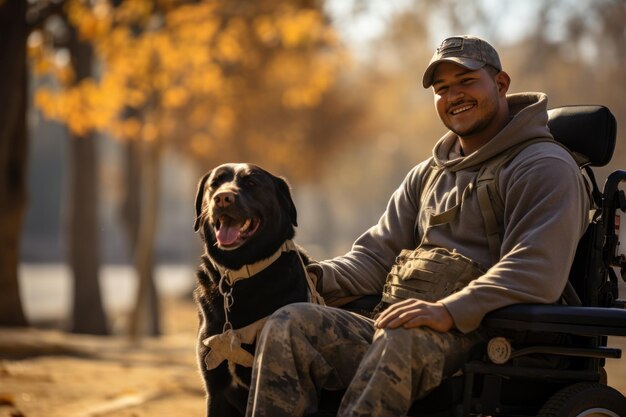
(467,51)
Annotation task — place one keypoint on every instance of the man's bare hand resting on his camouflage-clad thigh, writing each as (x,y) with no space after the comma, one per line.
(416,313)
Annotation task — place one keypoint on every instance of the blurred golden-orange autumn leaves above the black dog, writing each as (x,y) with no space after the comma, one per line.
(221,80)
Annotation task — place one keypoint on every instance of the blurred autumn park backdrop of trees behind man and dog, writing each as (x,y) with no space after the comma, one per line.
(112,110)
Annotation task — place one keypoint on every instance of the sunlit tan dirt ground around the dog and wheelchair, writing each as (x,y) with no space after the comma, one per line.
(48,373)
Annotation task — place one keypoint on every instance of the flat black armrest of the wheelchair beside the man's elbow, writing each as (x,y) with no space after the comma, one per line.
(587,321)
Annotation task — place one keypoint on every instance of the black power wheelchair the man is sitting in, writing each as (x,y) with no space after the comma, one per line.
(548,360)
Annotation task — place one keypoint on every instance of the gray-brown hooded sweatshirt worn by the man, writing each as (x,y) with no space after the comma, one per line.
(546,209)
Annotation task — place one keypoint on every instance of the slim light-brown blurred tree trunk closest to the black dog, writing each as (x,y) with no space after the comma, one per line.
(145,319)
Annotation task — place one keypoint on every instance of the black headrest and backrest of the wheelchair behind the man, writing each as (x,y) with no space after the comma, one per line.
(591,131)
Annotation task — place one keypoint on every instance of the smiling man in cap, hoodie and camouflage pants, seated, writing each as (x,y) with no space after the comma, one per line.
(386,364)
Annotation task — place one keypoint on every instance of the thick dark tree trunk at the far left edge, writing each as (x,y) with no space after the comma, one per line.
(13,155)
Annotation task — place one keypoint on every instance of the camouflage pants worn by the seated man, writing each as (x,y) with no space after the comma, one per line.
(306,347)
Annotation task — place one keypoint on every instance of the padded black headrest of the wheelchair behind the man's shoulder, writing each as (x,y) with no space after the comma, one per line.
(588,130)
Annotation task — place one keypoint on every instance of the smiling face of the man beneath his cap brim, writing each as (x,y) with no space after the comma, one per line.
(467,101)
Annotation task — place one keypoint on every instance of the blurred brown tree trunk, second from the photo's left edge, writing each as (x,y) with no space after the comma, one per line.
(88,315)
